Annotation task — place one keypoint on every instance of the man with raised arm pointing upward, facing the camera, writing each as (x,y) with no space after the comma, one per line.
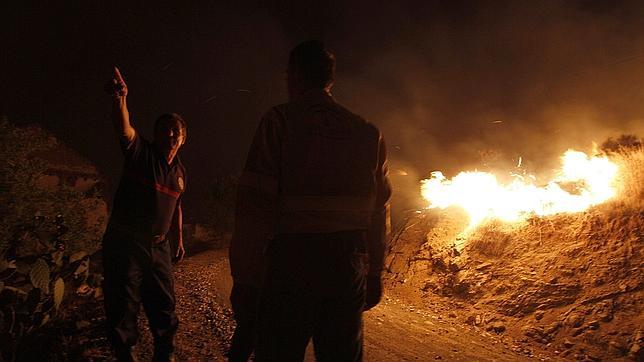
(137,256)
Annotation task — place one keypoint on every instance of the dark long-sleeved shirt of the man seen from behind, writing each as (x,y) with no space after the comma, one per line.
(313,167)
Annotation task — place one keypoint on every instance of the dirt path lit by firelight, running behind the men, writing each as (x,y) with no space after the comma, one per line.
(394,330)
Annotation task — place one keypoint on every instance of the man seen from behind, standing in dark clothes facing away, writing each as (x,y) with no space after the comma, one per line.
(314,193)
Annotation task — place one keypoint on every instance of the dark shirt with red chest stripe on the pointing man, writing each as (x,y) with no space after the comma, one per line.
(149,191)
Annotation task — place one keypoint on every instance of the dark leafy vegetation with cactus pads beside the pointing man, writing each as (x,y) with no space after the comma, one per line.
(45,245)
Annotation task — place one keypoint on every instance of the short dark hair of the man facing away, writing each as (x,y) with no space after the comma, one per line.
(314,63)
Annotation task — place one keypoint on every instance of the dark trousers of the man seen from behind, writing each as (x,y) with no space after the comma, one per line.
(314,288)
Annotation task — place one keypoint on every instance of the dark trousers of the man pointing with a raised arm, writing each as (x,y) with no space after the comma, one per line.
(138,273)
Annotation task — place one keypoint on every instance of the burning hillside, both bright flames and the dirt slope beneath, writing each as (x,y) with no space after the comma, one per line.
(511,259)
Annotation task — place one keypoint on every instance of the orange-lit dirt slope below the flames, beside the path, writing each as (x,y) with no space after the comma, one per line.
(569,285)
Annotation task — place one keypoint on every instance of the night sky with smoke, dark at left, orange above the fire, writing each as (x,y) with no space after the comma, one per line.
(444,80)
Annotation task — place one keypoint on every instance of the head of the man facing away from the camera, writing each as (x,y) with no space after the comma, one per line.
(310,66)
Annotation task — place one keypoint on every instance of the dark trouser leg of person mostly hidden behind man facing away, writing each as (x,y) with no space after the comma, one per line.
(244,300)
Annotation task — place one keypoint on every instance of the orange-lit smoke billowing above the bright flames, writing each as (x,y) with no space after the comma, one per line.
(465,85)
